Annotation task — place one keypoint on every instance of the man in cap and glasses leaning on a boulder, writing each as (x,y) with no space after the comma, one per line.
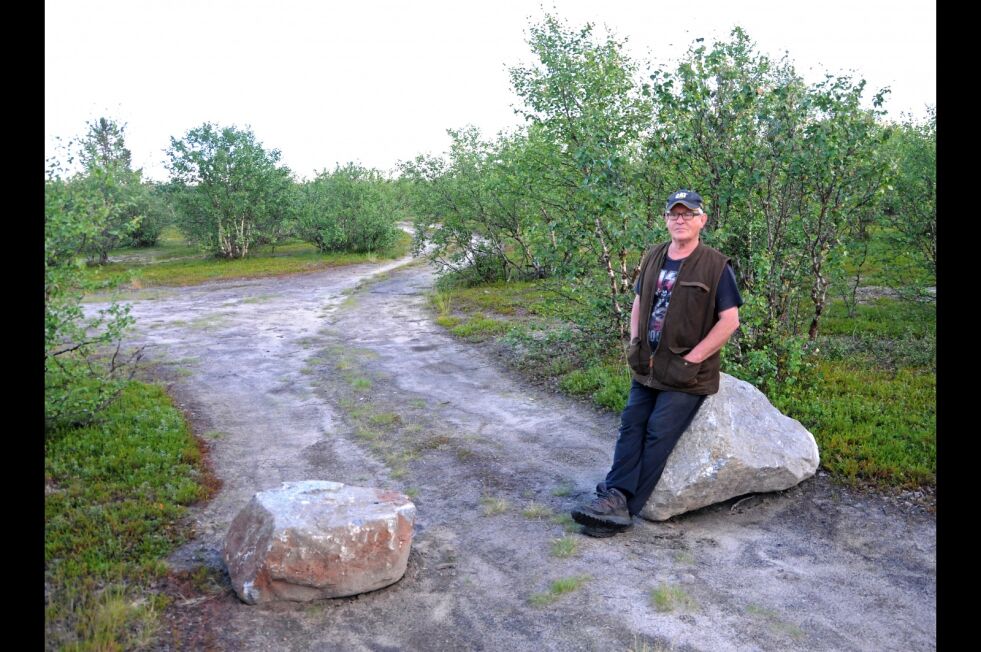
(685,309)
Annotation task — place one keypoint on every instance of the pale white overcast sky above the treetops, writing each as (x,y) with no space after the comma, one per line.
(378,81)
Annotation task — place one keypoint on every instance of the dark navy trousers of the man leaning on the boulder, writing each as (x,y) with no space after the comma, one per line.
(650,426)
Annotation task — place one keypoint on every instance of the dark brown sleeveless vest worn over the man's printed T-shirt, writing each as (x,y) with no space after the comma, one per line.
(690,316)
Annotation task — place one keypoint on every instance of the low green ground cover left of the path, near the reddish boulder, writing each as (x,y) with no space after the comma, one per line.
(115,496)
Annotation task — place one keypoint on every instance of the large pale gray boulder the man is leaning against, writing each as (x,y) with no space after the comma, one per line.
(737,444)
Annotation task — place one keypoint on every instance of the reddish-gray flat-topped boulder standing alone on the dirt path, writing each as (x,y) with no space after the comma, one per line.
(318,539)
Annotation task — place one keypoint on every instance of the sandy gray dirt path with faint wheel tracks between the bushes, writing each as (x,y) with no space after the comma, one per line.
(290,379)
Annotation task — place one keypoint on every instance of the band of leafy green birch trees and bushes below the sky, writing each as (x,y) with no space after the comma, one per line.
(797,177)
